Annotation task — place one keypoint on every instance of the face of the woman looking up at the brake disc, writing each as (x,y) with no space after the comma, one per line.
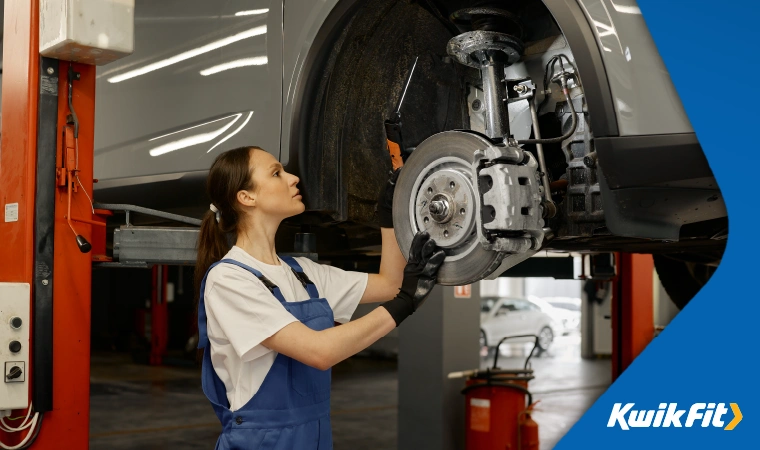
(275,190)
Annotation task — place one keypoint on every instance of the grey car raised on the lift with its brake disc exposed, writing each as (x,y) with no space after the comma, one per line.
(525,126)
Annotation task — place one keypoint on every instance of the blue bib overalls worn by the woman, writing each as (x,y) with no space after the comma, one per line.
(291,410)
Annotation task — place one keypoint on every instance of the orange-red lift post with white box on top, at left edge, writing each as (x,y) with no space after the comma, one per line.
(46,167)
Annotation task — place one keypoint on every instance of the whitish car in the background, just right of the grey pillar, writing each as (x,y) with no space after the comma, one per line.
(501,317)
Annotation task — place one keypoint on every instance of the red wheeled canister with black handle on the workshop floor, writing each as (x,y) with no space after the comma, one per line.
(499,406)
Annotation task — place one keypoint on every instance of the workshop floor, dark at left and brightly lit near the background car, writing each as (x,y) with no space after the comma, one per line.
(140,407)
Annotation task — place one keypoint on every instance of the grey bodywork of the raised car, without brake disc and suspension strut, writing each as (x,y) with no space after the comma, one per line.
(312,82)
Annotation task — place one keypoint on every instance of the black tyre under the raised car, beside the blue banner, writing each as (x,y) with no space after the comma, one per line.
(681,279)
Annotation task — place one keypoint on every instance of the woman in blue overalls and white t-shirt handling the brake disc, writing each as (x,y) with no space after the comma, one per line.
(266,323)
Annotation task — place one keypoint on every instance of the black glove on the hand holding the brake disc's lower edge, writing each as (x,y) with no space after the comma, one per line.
(420,273)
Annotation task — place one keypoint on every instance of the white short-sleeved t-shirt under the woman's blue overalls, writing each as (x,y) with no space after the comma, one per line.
(241,313)
